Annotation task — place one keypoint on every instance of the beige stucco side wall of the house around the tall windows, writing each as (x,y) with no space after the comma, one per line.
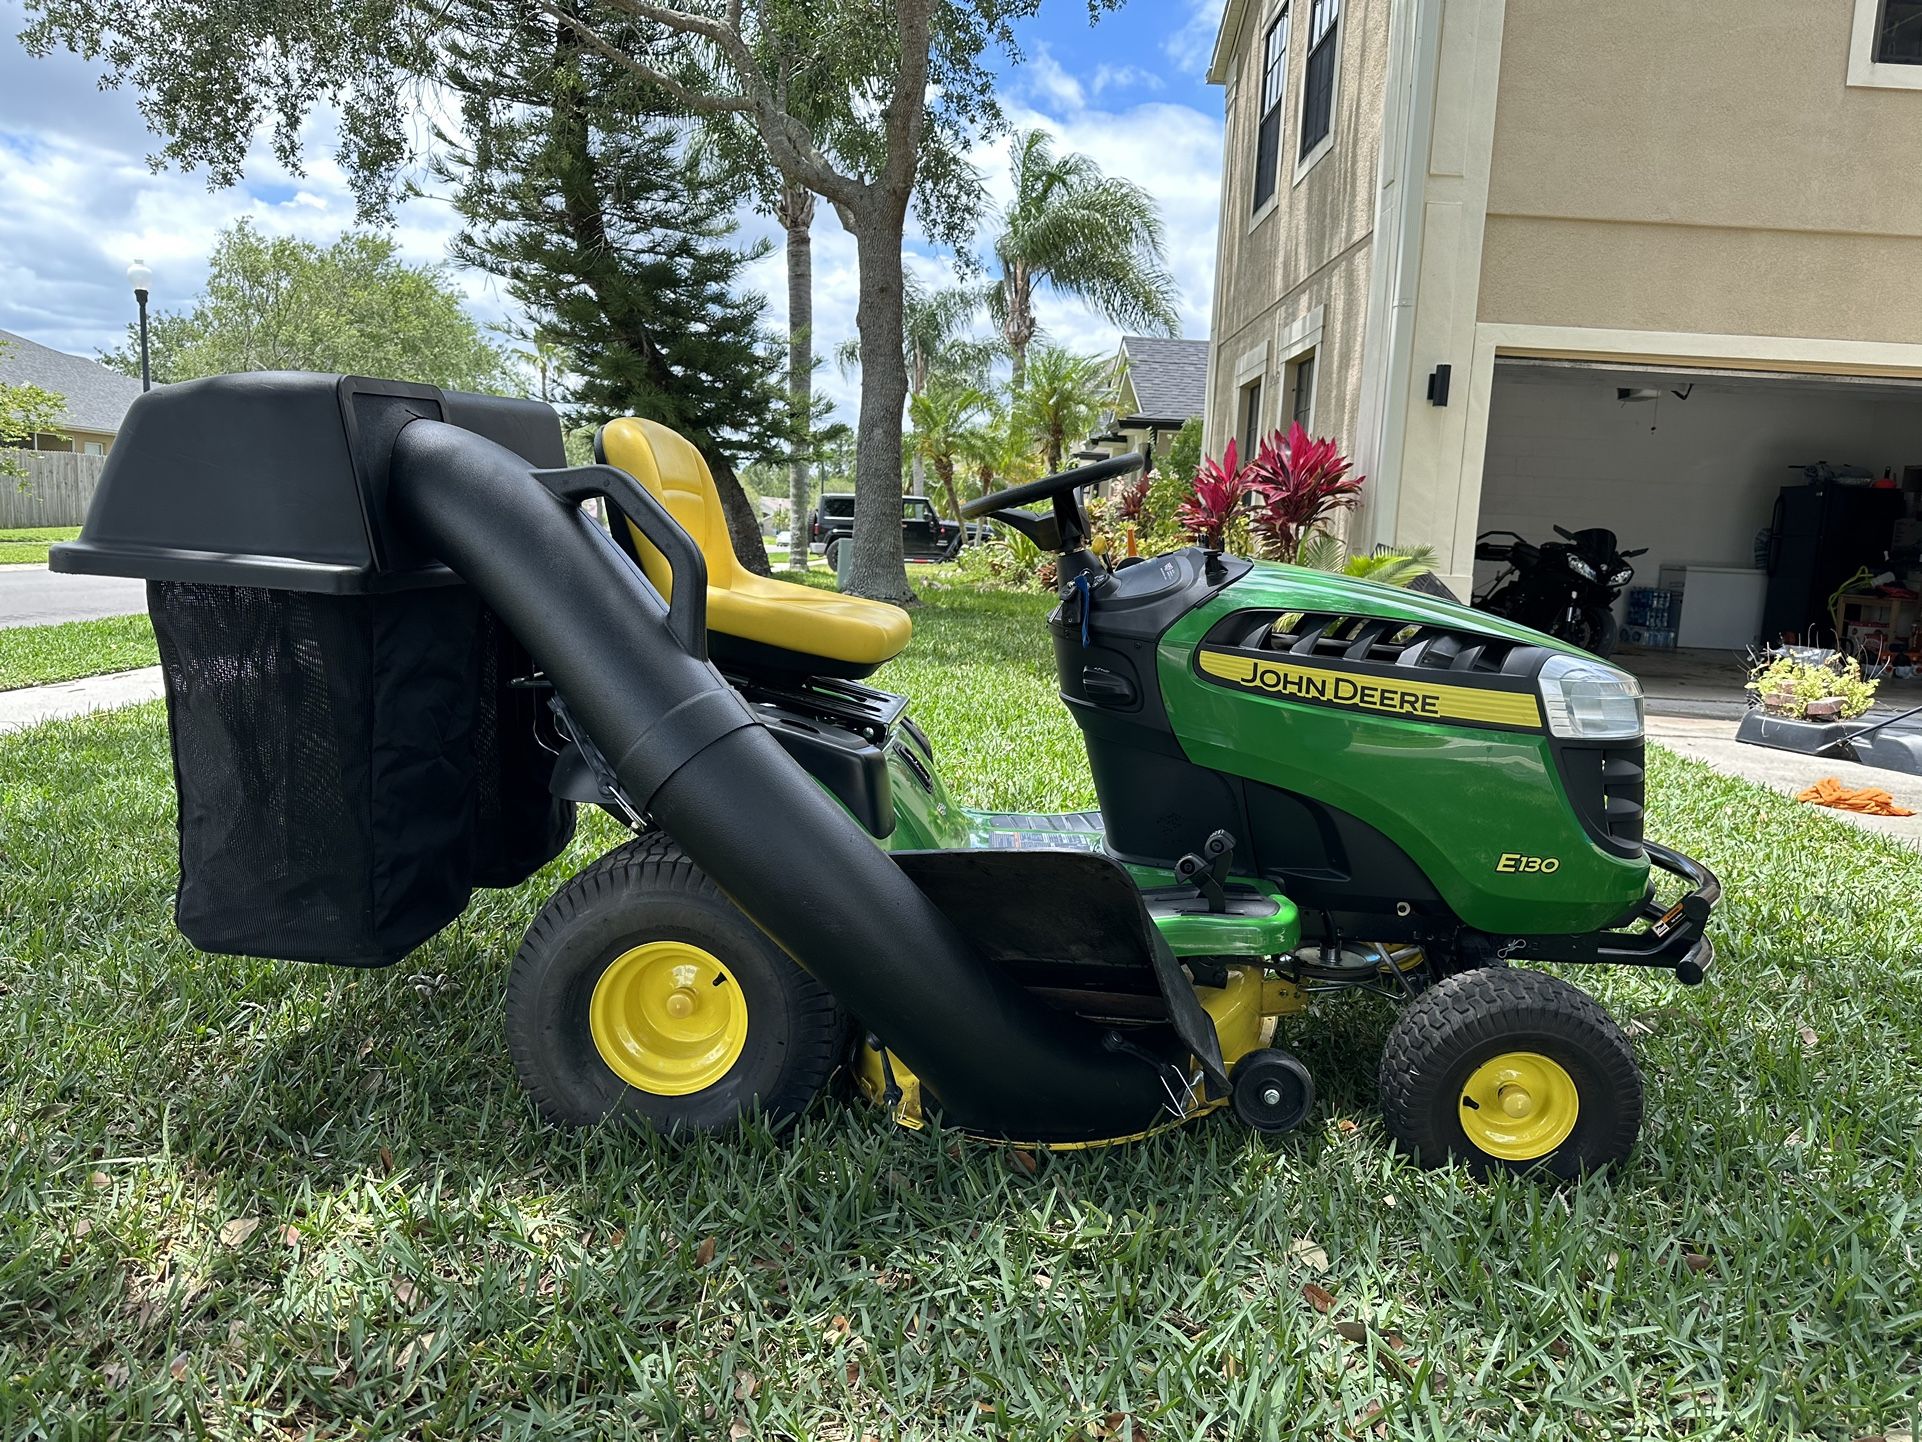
(1312,251)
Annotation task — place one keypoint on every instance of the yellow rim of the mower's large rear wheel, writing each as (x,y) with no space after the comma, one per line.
(668,1018)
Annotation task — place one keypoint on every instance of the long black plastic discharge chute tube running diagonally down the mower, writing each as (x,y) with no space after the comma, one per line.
(689,751)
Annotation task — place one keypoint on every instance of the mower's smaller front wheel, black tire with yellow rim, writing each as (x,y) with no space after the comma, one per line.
(1512,1070)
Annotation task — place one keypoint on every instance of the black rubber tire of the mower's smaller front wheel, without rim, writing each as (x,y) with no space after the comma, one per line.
(1464,1024)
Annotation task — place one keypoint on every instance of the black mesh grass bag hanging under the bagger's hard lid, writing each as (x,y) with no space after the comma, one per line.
(345,770)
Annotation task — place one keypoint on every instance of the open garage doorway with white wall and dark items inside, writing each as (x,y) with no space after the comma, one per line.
(1758,495)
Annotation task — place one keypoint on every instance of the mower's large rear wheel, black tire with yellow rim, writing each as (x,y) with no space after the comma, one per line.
(641,993)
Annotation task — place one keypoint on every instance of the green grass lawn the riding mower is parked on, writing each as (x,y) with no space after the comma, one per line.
(253,1199)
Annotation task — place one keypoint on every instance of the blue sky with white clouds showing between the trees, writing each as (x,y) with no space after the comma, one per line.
(82,201)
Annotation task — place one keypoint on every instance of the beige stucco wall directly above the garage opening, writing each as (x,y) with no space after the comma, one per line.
(1700,168)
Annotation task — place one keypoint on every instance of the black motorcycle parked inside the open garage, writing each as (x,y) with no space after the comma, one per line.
(1565,587)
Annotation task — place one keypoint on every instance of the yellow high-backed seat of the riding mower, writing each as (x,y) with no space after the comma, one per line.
(752,620)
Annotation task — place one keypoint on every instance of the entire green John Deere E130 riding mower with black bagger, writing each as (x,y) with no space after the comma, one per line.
(401,653)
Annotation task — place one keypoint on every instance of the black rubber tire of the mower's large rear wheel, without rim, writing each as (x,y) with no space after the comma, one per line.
(641,893)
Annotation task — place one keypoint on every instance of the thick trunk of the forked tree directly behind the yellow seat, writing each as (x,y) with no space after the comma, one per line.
(879,568)
